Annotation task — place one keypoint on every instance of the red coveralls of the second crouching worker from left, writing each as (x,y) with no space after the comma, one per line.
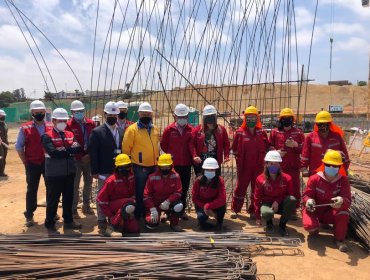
(158,188)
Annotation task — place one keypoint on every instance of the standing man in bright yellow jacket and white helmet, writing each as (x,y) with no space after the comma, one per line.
(141,143)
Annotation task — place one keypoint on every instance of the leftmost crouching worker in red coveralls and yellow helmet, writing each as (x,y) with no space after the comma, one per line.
(117,198)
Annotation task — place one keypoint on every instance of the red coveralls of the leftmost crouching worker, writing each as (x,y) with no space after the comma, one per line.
(118,192)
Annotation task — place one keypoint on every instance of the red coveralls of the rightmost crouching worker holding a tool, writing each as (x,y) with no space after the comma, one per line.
(322,191)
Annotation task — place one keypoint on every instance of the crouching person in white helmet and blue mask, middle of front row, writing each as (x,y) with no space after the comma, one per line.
(209,196)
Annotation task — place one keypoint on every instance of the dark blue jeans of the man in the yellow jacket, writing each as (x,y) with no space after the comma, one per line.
(141,174)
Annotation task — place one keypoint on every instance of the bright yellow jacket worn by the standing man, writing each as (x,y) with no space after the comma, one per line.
(142,147)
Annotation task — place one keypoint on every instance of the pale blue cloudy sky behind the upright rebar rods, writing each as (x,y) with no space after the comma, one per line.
(70,26)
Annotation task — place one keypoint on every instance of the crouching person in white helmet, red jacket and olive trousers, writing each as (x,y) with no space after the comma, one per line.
(274,194)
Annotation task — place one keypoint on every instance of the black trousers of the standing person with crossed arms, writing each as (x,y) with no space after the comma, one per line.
(56,186)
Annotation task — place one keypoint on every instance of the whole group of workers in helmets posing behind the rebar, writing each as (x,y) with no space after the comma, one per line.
(136,180)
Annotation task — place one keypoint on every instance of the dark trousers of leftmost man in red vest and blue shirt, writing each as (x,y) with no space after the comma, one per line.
(33,175)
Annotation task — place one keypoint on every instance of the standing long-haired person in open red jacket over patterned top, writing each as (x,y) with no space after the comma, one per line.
(210,140)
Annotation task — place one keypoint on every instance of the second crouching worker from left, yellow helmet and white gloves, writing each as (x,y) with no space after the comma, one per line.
(162,192)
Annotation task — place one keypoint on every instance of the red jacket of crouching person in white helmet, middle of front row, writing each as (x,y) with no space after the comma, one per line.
(206,196)
